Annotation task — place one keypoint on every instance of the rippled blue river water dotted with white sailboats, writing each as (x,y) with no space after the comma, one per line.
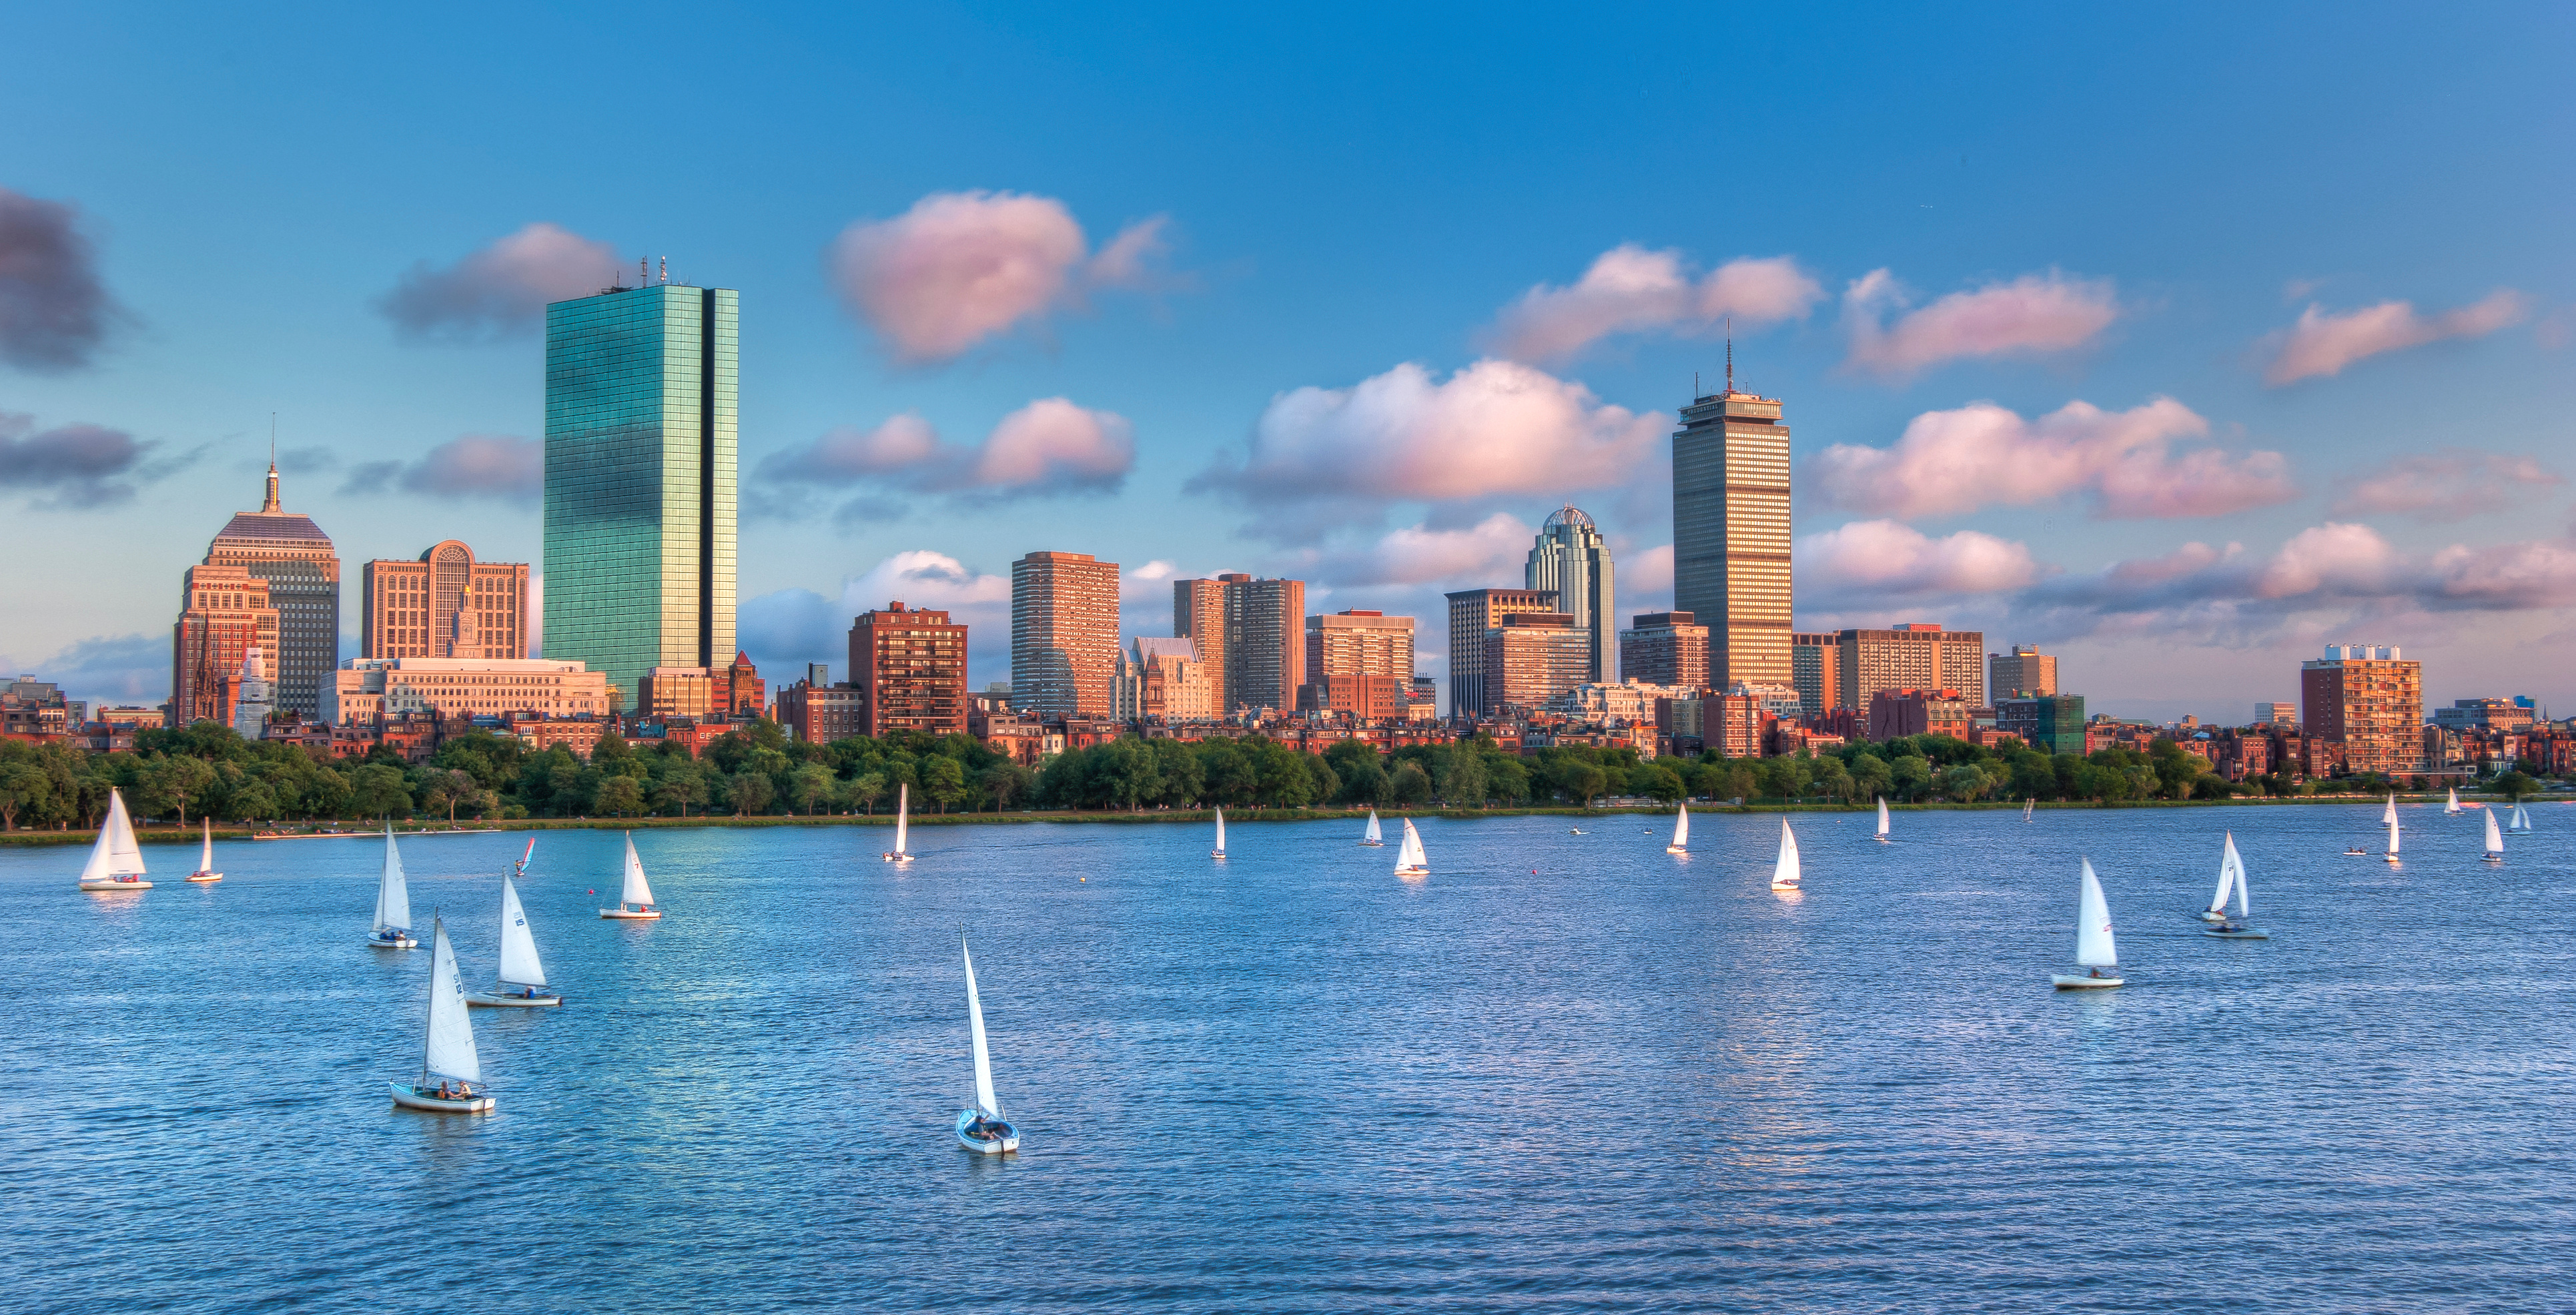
(1562,1074)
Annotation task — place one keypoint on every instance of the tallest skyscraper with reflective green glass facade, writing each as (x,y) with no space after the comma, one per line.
(640,481)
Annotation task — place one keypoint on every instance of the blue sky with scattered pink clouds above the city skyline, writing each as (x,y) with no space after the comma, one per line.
(2119,210)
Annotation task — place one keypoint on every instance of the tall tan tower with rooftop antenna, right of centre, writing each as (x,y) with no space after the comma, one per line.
(1730,532)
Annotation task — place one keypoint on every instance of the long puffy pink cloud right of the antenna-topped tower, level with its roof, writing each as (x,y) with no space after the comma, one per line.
(1951,463)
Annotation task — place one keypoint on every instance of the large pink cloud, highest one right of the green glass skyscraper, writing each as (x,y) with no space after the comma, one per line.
(965,267)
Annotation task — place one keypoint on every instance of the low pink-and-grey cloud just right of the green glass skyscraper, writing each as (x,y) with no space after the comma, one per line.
(1042,450)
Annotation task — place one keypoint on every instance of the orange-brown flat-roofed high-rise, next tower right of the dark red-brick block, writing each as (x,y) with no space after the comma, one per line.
(1063,636)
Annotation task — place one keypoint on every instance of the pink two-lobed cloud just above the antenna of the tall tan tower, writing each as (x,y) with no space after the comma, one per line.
(1634,290)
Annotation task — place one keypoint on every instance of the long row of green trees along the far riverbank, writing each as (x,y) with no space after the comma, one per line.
(761,777)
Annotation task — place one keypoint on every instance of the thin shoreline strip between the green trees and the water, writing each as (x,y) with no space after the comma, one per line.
(1202,816)
